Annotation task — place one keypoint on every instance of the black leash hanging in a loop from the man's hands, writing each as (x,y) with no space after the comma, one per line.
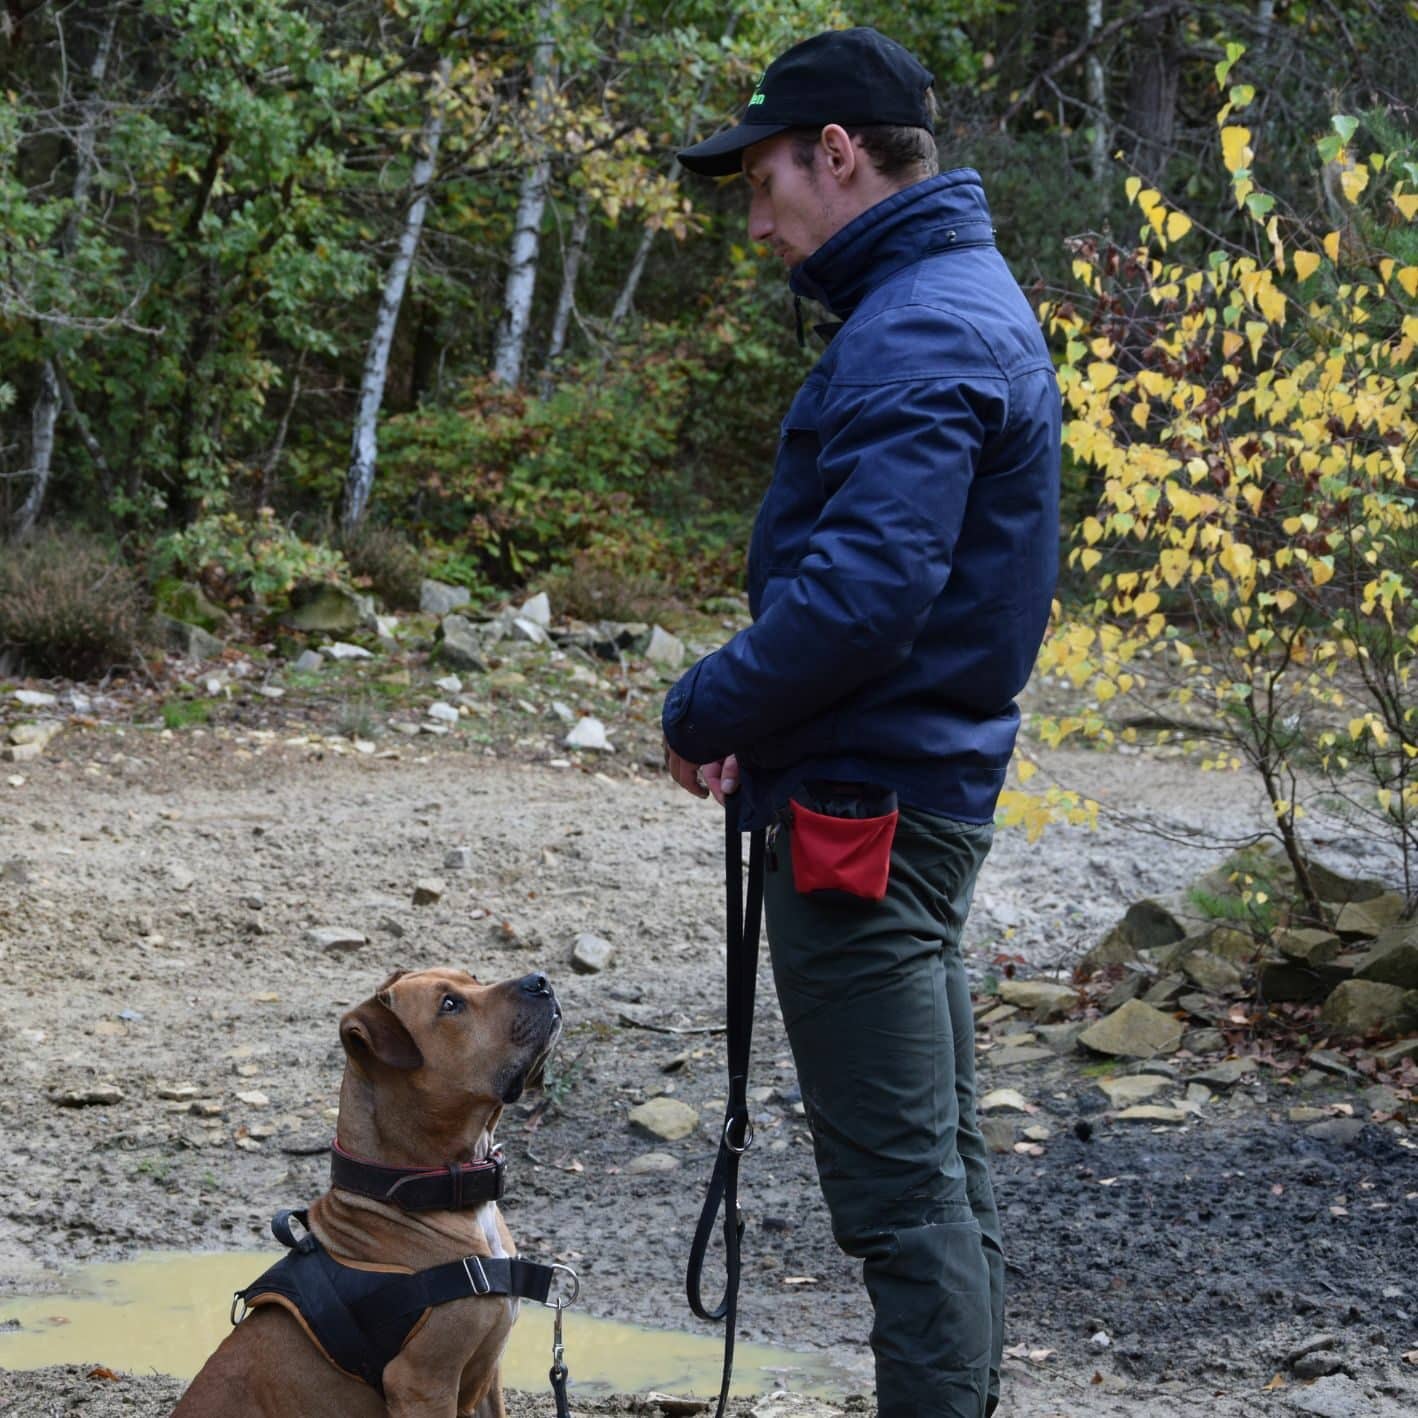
(742,944)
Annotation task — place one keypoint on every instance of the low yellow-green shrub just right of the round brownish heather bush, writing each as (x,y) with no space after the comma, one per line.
(259,559)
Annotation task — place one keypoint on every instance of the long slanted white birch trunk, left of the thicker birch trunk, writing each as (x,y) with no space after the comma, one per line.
(359,481)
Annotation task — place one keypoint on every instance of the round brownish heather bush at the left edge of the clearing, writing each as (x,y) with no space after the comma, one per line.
(69,606)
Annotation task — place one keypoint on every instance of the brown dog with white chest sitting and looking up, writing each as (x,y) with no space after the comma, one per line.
(430,1063)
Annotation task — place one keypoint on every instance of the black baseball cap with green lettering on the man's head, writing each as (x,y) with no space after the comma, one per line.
(850,77)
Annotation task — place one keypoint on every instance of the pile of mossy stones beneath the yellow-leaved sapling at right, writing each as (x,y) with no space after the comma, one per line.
(1172,958)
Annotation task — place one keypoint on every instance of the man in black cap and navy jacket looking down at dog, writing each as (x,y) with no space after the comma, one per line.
(901,575)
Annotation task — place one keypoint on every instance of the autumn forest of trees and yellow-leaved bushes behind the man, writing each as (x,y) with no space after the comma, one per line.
(379,291)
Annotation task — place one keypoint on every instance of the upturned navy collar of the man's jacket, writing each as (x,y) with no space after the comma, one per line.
(929,216)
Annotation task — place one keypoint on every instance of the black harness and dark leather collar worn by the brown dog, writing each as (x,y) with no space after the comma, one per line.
(359,1319)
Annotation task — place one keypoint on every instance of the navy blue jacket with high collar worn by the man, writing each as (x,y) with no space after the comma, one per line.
(904,561)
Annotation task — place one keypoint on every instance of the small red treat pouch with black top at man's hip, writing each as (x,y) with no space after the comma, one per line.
(842,839)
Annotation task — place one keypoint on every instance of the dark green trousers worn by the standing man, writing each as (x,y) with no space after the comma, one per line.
(877,1009)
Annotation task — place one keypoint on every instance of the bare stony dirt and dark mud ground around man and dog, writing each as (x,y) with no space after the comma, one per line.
(157,895)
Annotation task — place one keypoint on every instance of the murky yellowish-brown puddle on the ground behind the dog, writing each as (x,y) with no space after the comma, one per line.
(169,1311)
